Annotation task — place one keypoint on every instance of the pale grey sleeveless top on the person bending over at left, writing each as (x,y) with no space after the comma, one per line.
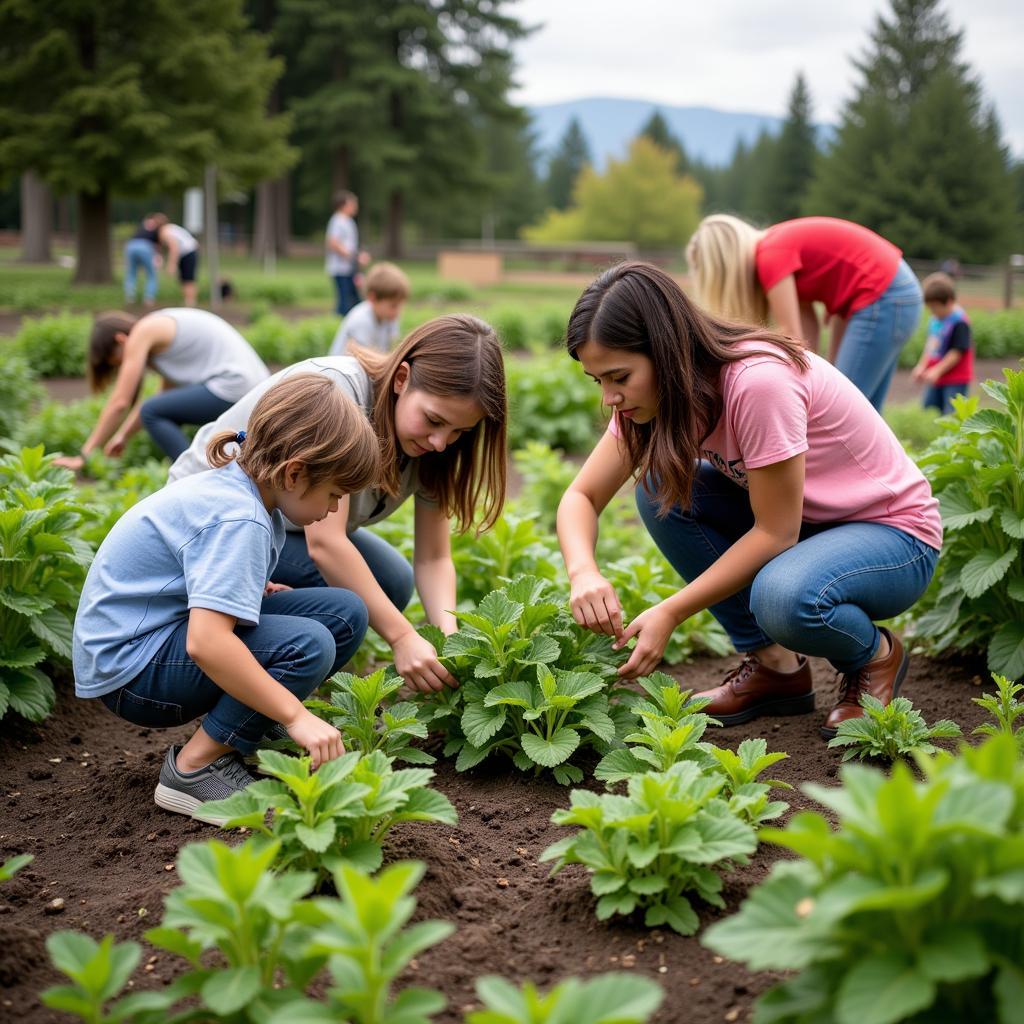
(208,351)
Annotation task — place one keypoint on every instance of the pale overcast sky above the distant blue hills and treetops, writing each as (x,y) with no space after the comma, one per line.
(743,55)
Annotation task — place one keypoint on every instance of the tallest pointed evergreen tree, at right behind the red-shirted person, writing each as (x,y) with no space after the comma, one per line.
(918,158)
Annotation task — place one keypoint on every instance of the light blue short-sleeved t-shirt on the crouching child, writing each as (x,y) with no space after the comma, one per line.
(205,542)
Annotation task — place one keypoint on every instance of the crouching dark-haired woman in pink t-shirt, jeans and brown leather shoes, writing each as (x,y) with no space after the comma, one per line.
(770,483)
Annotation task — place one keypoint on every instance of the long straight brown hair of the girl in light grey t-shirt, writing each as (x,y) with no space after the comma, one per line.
(460,356)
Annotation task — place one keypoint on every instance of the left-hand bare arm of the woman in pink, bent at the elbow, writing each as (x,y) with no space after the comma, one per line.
(593,600)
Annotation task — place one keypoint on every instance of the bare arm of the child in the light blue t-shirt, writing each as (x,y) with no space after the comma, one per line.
(217,649)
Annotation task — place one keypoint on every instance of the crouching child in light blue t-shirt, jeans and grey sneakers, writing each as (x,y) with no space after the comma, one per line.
(179,620)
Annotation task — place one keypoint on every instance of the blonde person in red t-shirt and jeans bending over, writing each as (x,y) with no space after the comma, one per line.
(870,293)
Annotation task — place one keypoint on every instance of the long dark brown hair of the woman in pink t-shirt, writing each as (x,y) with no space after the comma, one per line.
(639,309)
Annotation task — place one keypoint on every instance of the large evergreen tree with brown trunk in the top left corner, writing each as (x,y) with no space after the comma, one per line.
(101,98)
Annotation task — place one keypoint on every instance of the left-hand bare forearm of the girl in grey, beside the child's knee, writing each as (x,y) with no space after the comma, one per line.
(342,566)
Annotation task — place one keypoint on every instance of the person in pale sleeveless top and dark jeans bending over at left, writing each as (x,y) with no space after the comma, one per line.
(206,366)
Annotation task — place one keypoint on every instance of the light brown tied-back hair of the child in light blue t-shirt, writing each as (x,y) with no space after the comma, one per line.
(305,418)
